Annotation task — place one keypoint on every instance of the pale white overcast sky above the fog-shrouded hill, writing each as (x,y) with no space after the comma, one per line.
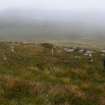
(54,4)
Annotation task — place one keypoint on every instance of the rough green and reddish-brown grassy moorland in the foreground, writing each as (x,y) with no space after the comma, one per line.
(31,75)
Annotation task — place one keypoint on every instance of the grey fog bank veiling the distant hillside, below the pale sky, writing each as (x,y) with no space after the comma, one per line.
(17,24)
